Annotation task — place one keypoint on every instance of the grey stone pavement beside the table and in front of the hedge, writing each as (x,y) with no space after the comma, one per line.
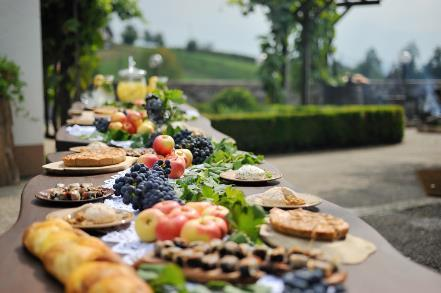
(377,183)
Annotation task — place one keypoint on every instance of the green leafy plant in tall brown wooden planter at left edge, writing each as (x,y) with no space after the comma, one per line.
(10,93)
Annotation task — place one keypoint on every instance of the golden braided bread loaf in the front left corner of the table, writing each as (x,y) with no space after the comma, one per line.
(81,262)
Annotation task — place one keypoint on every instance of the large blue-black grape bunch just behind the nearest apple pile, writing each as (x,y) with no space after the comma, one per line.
(144,187)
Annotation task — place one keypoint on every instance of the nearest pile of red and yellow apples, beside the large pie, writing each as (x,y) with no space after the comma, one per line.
(194,221)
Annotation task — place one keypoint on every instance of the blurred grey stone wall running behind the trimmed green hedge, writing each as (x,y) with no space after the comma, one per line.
(412,94)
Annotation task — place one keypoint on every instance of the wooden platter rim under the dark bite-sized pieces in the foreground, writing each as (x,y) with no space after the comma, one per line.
(199,275)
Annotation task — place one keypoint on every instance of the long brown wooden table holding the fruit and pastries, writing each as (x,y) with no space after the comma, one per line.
(384,271)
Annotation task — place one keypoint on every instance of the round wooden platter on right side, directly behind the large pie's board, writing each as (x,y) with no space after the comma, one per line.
(260,199)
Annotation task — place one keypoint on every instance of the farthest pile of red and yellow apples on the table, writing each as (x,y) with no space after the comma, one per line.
(132,122)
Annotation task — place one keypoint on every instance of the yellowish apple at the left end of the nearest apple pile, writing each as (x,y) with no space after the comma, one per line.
(146,223)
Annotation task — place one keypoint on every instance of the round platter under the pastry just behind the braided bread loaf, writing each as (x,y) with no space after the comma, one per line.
(123,217)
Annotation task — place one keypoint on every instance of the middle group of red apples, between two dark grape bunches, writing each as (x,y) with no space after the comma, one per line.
(164,147)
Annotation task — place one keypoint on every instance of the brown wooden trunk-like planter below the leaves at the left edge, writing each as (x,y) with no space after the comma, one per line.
(8,167)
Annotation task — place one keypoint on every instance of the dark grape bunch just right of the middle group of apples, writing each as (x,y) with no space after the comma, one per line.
(200,146)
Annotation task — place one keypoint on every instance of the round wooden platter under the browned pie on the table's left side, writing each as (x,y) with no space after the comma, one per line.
(61,169)
